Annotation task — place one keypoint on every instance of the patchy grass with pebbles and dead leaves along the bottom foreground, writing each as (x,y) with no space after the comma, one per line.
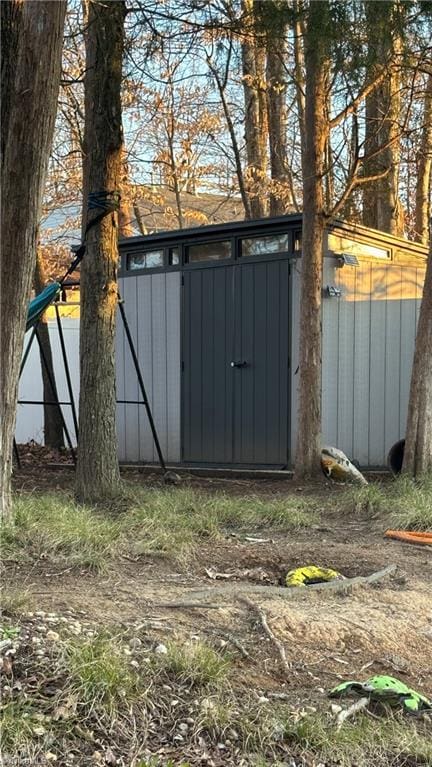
(89,695)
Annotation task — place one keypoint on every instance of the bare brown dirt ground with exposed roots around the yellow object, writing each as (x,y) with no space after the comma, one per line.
(327,636)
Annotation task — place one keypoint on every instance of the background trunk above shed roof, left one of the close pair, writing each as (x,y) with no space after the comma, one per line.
(253,66)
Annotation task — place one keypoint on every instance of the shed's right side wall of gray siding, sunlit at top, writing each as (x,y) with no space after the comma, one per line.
(368,346)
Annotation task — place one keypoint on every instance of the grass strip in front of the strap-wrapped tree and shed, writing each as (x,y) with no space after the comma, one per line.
(164,522)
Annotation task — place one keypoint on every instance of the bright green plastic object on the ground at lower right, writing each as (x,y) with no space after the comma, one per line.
(387,689)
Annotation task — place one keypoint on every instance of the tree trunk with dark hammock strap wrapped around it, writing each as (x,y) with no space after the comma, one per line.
(97,475)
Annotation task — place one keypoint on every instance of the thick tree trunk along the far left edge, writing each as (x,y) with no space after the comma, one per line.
(32,37)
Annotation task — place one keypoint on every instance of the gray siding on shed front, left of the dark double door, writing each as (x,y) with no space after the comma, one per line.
(152,305)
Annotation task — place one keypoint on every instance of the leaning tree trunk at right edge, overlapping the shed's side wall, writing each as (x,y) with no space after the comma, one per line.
(418,442)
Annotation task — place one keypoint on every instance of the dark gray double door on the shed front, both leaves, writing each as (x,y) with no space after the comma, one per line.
(235,364)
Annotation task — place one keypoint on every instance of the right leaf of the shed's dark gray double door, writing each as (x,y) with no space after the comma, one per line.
(261,386)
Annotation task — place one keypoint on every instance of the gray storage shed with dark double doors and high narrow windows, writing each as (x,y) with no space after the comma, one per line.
(214,314)
